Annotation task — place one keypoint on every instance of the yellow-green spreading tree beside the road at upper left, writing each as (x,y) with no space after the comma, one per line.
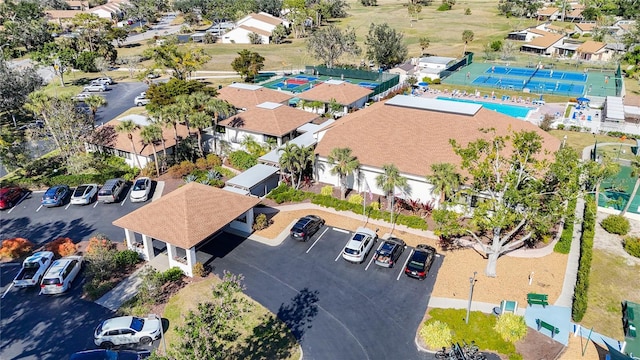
(180,62)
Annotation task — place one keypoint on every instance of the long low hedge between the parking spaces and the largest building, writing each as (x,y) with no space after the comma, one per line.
(284,193)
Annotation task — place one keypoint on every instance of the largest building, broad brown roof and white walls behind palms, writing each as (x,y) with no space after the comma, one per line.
(412,133)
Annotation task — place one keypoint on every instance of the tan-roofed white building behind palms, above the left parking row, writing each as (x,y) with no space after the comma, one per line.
(119,144)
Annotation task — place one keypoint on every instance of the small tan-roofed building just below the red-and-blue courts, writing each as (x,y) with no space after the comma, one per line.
(349,95)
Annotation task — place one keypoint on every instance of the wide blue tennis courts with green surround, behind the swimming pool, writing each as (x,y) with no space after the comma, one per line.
(535,80)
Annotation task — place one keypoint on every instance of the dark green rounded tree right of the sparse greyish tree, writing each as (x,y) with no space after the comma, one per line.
(385,45)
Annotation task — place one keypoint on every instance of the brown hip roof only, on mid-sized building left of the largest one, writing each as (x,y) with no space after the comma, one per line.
(275,122)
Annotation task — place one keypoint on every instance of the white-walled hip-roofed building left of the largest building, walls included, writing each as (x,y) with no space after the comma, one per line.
(265,123)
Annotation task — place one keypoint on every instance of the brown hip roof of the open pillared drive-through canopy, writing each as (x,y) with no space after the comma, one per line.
(188,215)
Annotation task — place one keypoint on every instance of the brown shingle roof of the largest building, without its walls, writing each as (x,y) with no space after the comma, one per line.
(414,139)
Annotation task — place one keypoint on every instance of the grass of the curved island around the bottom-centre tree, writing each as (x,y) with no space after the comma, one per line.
(263,336)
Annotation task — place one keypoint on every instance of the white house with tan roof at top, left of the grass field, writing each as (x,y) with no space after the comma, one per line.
(261,24)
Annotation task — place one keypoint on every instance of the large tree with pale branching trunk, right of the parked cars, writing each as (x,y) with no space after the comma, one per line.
(521,194)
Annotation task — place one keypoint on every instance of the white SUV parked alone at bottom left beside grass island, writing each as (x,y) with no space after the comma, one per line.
(128,330)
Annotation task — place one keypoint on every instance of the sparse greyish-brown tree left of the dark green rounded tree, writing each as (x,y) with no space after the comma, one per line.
(329,43)
